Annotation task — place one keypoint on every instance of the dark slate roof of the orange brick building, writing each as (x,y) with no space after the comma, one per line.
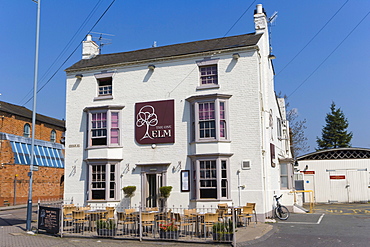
(24,112)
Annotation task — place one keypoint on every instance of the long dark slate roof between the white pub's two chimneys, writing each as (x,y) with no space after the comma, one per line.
(168,51)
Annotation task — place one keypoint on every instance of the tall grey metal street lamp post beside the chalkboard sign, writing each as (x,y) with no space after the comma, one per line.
(29,203)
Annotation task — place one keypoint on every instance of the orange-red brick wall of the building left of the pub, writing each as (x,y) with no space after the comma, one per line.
(46,181)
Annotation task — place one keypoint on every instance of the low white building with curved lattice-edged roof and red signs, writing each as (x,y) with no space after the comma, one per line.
(337,175)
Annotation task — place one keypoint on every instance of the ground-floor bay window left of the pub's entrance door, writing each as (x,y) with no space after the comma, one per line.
(103,178)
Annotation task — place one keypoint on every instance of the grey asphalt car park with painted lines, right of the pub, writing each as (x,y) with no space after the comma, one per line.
(331,225)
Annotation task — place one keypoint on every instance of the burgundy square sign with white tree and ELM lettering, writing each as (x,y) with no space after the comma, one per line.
(155,122)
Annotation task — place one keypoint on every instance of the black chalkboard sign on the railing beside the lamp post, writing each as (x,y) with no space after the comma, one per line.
(48,219)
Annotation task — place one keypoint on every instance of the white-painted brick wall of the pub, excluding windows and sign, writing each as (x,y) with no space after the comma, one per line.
(249,80)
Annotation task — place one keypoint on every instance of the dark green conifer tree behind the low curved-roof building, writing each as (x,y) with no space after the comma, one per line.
(334,134)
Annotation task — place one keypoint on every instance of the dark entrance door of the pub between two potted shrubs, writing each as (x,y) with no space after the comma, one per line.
(154,182)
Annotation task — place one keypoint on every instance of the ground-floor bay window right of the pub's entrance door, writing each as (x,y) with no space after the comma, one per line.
(210,178)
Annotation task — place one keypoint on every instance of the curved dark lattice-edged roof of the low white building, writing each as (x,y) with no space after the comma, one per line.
(337,153)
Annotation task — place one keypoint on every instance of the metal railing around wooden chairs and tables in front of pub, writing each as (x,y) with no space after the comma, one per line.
(206,224)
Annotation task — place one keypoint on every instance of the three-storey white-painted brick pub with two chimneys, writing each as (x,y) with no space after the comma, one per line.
(200,116)
